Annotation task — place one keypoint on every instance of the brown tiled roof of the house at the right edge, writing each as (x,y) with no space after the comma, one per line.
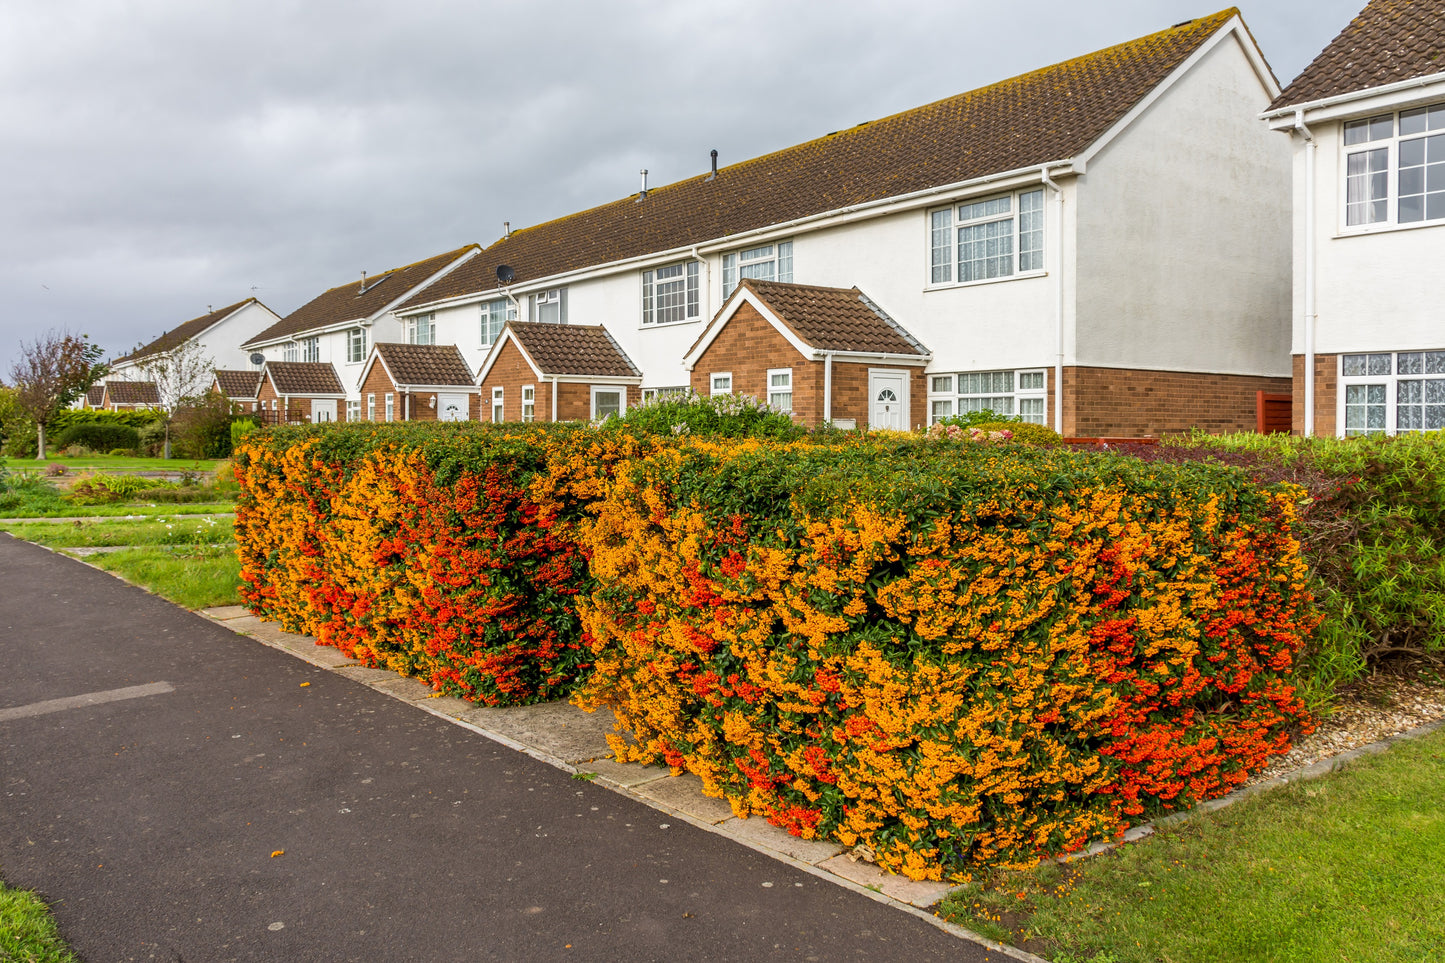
(1391,41)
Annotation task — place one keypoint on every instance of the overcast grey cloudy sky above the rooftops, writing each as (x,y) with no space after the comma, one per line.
(158,157)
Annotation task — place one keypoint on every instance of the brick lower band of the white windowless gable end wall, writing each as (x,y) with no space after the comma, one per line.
(1136,404)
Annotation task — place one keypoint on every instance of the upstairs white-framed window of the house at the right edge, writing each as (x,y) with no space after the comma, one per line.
(1395,168)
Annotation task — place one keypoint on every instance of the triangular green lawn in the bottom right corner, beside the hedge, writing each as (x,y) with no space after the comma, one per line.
(1343,868)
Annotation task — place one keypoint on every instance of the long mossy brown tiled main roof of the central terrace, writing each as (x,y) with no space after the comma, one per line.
(1048,115)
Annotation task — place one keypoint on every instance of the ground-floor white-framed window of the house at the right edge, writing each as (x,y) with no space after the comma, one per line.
(1394,393)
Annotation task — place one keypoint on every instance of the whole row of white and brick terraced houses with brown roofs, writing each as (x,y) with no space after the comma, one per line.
(1147,239)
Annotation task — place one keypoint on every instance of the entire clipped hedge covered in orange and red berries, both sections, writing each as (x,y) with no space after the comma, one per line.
(953,654)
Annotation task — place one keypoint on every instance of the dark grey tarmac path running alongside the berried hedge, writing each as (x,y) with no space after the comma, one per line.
(152,822)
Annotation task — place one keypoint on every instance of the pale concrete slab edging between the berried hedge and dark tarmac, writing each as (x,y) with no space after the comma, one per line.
(651,786)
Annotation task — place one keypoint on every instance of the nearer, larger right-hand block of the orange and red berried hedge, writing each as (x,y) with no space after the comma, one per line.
(952,654)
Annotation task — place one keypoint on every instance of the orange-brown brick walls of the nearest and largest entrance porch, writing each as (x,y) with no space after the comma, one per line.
(749,346)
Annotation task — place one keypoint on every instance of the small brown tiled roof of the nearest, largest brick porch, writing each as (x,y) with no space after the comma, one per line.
(832,319)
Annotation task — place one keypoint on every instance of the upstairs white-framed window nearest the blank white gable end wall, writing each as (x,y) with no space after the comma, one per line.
(982,241)
